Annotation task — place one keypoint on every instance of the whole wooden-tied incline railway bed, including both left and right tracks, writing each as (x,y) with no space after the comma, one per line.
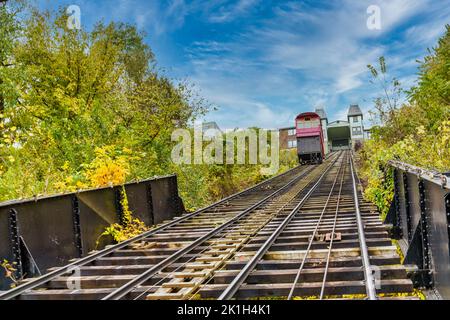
(307,232)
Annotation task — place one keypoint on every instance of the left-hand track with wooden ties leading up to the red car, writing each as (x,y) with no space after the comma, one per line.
(169,237)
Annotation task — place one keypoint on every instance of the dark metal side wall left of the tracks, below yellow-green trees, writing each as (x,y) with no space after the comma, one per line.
(44,232)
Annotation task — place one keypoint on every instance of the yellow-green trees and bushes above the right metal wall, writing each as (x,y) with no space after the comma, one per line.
(416,132)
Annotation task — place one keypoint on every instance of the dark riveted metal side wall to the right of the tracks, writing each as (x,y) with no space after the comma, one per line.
(420,219)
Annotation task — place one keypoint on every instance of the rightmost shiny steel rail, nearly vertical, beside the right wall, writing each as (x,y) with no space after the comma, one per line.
(369,283)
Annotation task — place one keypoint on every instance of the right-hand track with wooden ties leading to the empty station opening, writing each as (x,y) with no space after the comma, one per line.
(331,245)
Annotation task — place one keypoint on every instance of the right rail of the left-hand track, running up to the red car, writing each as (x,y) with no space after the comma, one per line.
(129,286)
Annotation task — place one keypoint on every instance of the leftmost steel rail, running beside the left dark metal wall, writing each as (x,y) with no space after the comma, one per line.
(42,280)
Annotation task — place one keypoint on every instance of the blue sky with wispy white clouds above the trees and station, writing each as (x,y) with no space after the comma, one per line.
(262,62)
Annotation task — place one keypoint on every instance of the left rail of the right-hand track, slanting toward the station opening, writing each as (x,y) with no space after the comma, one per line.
(234,286)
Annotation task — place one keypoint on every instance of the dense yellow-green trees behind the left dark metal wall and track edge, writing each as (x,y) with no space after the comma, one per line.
(82,109)
